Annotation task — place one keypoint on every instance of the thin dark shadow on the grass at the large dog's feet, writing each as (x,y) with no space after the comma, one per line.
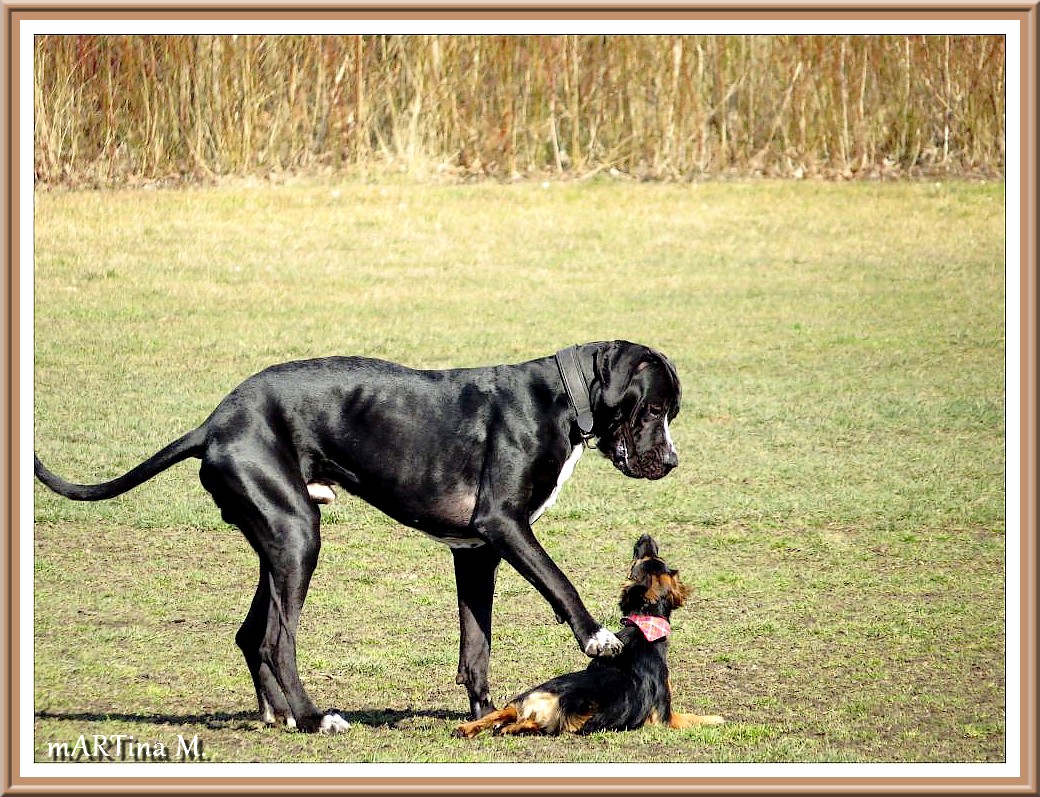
(371,717)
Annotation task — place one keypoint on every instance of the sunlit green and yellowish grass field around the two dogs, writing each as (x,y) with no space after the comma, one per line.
(839,509)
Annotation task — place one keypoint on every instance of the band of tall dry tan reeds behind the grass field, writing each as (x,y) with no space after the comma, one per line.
(116,109)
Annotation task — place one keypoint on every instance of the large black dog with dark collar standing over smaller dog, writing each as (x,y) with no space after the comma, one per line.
(471,457)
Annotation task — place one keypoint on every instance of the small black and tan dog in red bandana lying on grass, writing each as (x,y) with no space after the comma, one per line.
(611,695)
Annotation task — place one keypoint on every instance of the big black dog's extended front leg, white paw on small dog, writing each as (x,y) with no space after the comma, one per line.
(513,539)
